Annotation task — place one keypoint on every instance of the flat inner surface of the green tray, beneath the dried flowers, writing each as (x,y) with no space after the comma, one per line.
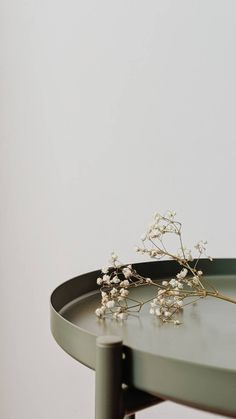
(207,335)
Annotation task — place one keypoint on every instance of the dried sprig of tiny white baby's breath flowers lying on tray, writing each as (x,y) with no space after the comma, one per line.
(169,298)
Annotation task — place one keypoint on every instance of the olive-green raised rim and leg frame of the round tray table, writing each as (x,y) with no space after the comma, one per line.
(132,377)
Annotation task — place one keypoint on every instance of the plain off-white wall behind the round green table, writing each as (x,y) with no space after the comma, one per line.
(109,111)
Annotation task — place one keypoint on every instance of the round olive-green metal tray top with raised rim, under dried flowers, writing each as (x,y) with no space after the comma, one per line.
(194,363)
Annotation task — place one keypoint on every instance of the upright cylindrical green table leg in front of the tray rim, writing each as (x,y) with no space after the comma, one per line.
(108,397)
